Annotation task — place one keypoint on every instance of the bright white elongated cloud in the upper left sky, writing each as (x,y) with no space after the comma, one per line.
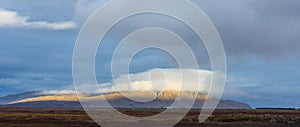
(13,19)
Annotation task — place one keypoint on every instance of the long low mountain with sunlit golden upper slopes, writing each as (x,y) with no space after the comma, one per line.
(117,100)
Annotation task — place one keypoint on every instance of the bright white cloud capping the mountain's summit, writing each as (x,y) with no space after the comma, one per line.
(160,80)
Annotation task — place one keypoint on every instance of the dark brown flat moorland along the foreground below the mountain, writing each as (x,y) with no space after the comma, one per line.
(17,117)
